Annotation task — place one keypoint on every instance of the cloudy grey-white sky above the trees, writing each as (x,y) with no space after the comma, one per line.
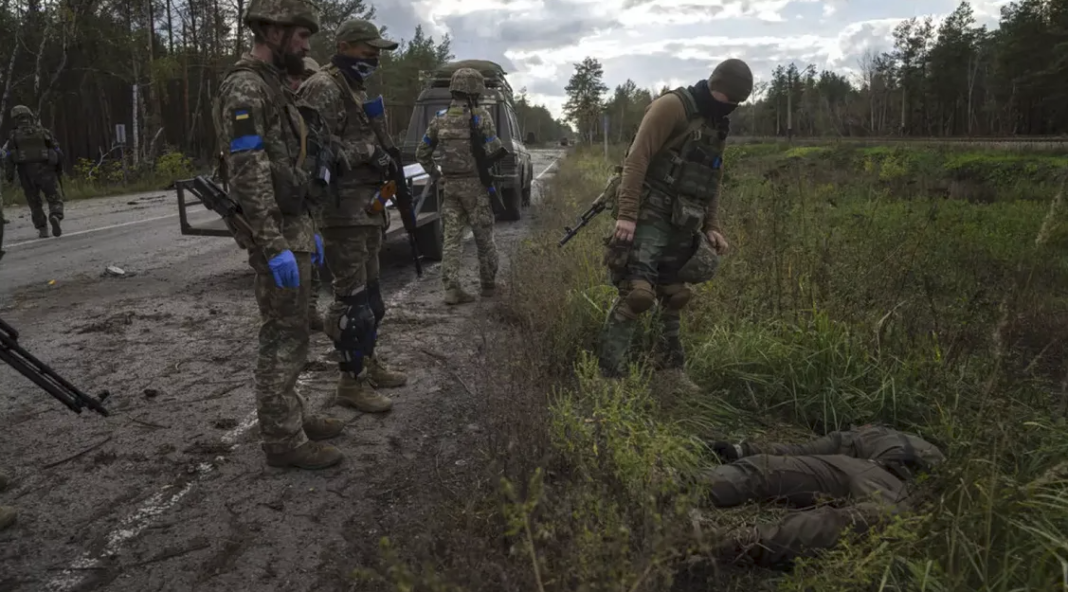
(659,42)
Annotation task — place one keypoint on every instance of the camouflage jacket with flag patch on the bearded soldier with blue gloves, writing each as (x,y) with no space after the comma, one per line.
(264,142)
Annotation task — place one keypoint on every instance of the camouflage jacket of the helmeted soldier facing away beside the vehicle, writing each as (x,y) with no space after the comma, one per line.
(451,131)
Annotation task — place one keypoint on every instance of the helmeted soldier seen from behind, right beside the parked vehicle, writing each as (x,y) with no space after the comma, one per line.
(466,200)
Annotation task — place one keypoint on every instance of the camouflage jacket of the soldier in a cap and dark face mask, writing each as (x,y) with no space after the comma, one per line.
(341,105)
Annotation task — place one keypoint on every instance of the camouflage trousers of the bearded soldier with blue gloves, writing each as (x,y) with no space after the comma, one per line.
(284,351)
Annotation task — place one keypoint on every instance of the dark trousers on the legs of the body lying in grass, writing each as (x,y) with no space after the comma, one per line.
(804,482)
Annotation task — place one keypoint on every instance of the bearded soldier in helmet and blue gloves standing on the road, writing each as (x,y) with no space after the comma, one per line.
(265,137)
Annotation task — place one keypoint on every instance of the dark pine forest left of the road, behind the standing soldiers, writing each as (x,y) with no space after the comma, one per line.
(154,67)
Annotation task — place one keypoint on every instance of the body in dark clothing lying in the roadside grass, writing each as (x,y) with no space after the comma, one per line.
(870,468)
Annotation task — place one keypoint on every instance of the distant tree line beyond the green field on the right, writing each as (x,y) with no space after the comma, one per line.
(953,80)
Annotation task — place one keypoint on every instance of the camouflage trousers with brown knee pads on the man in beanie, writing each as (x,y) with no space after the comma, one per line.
(653,262)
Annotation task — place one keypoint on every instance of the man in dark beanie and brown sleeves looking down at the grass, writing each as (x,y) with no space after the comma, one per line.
(667,236)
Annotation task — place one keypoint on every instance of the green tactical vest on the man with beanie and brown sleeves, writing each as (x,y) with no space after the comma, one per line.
(689,175)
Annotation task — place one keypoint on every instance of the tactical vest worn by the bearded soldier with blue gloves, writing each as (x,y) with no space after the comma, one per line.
(290,175)
